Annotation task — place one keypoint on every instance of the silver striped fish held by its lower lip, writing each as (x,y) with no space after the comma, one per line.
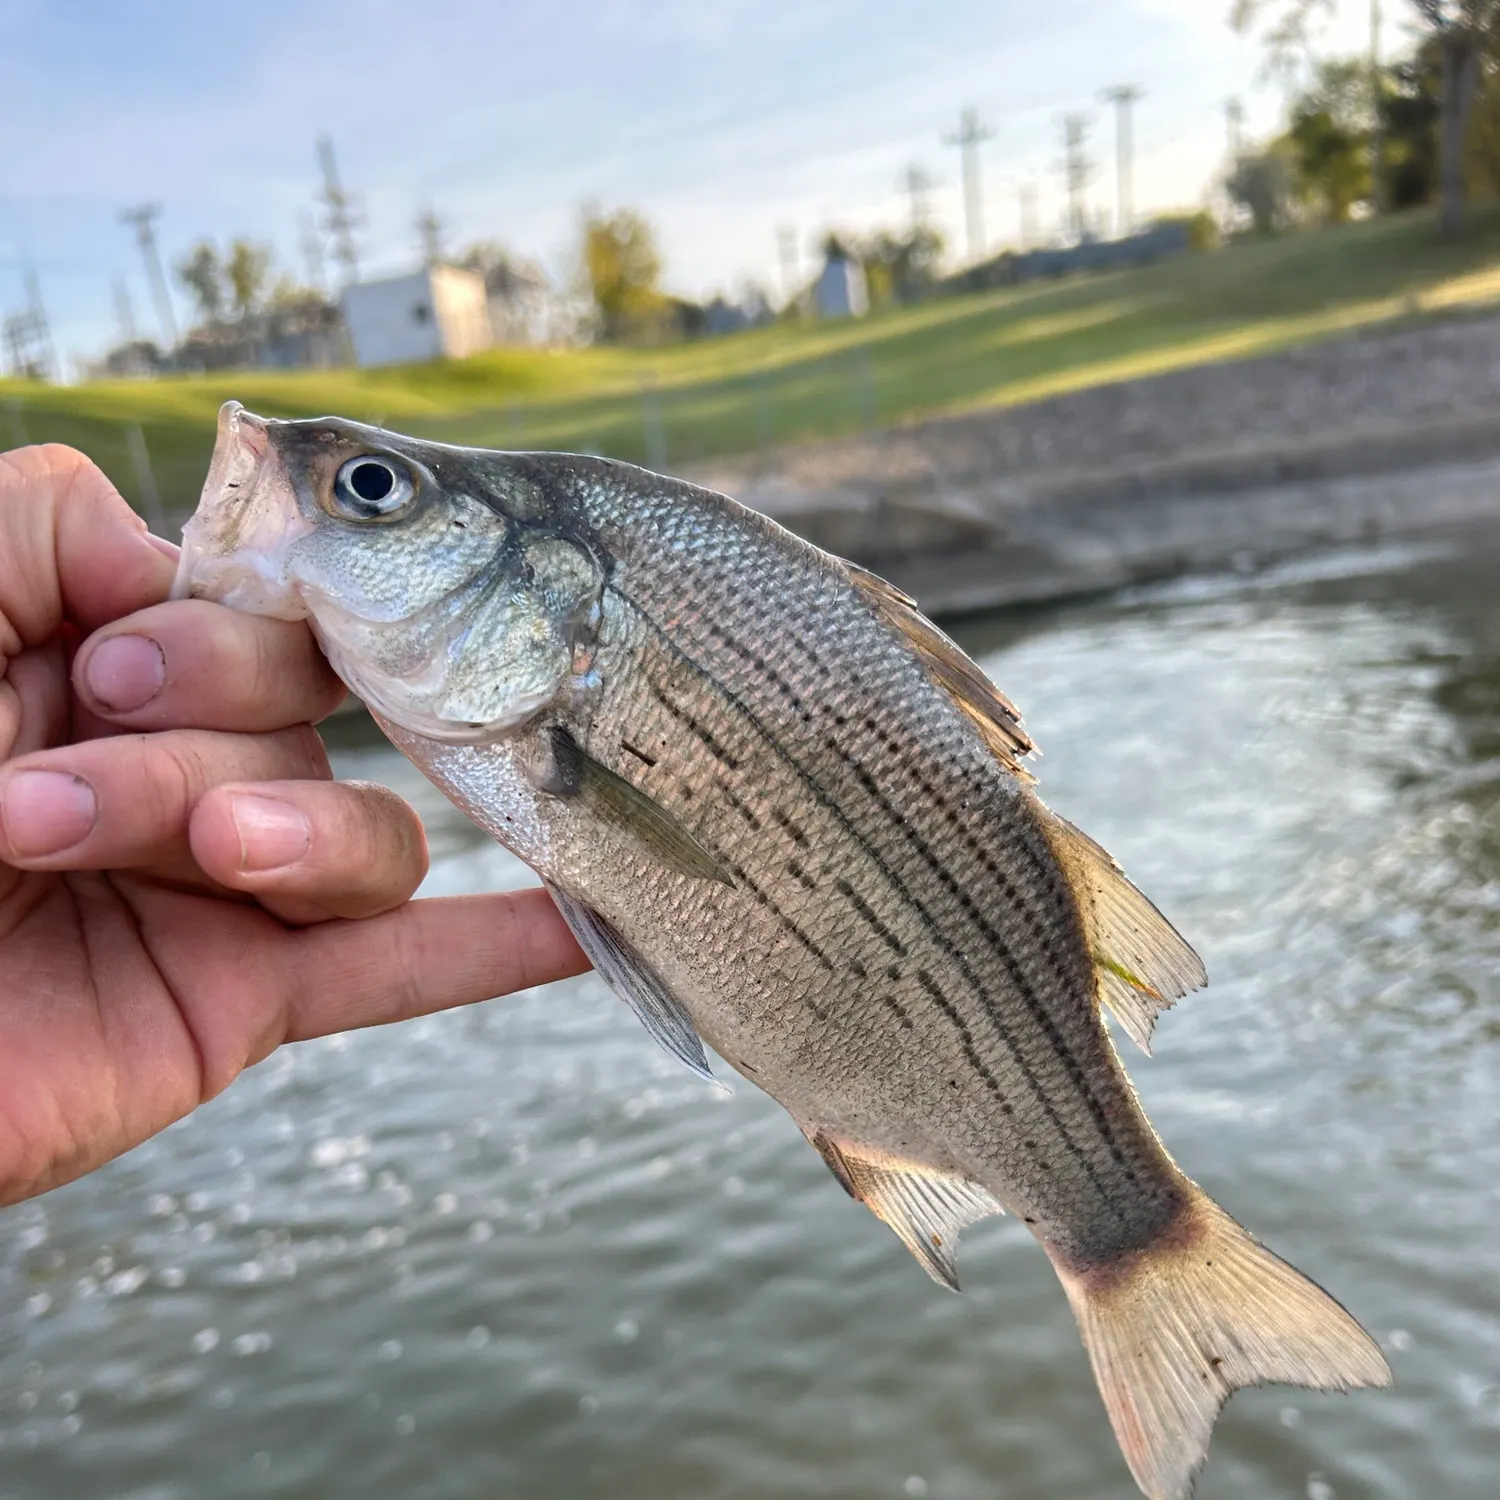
(787,817)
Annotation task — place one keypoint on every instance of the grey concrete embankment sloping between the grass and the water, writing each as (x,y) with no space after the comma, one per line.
(1223,466)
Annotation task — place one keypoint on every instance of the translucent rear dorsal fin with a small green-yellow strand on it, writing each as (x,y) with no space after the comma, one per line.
(1144,964)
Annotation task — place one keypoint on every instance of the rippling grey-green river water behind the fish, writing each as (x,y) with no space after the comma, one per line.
(518,1253)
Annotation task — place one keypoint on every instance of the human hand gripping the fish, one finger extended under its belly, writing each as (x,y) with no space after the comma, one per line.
(182,884)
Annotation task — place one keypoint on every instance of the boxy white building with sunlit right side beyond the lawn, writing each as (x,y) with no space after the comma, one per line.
(439,313)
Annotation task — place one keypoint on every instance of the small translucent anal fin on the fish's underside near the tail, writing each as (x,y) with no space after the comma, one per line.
(925,1205)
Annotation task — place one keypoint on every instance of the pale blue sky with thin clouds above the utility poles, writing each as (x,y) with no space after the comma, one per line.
(719,119)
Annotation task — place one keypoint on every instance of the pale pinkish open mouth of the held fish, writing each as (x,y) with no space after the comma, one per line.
(238,542)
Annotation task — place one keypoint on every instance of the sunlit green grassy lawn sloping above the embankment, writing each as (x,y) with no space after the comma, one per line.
(788,383)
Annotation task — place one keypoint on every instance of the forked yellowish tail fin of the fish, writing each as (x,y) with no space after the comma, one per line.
(1175,1328)
